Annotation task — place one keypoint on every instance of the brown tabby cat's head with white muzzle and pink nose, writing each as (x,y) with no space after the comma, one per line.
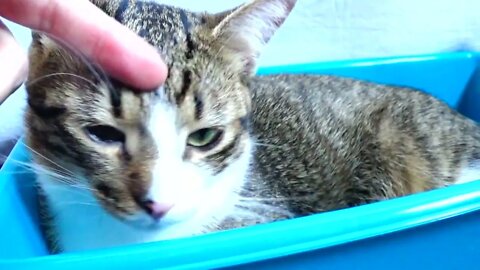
(180,152)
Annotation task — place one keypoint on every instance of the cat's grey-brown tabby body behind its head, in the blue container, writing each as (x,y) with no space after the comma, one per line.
(354,141)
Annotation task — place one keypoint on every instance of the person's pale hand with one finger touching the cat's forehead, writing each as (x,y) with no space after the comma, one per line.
(98,37)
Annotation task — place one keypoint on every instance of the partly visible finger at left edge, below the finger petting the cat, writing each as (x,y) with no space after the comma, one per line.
(13,63)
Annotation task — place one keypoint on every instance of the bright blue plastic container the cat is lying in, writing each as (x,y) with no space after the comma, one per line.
(432,230)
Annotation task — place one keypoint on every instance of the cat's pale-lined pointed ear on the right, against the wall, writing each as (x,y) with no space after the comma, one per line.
(244,31)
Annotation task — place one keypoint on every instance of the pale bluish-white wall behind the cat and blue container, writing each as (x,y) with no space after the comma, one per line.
(323,30)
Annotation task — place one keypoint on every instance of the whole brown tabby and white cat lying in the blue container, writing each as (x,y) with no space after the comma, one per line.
(217,147)
